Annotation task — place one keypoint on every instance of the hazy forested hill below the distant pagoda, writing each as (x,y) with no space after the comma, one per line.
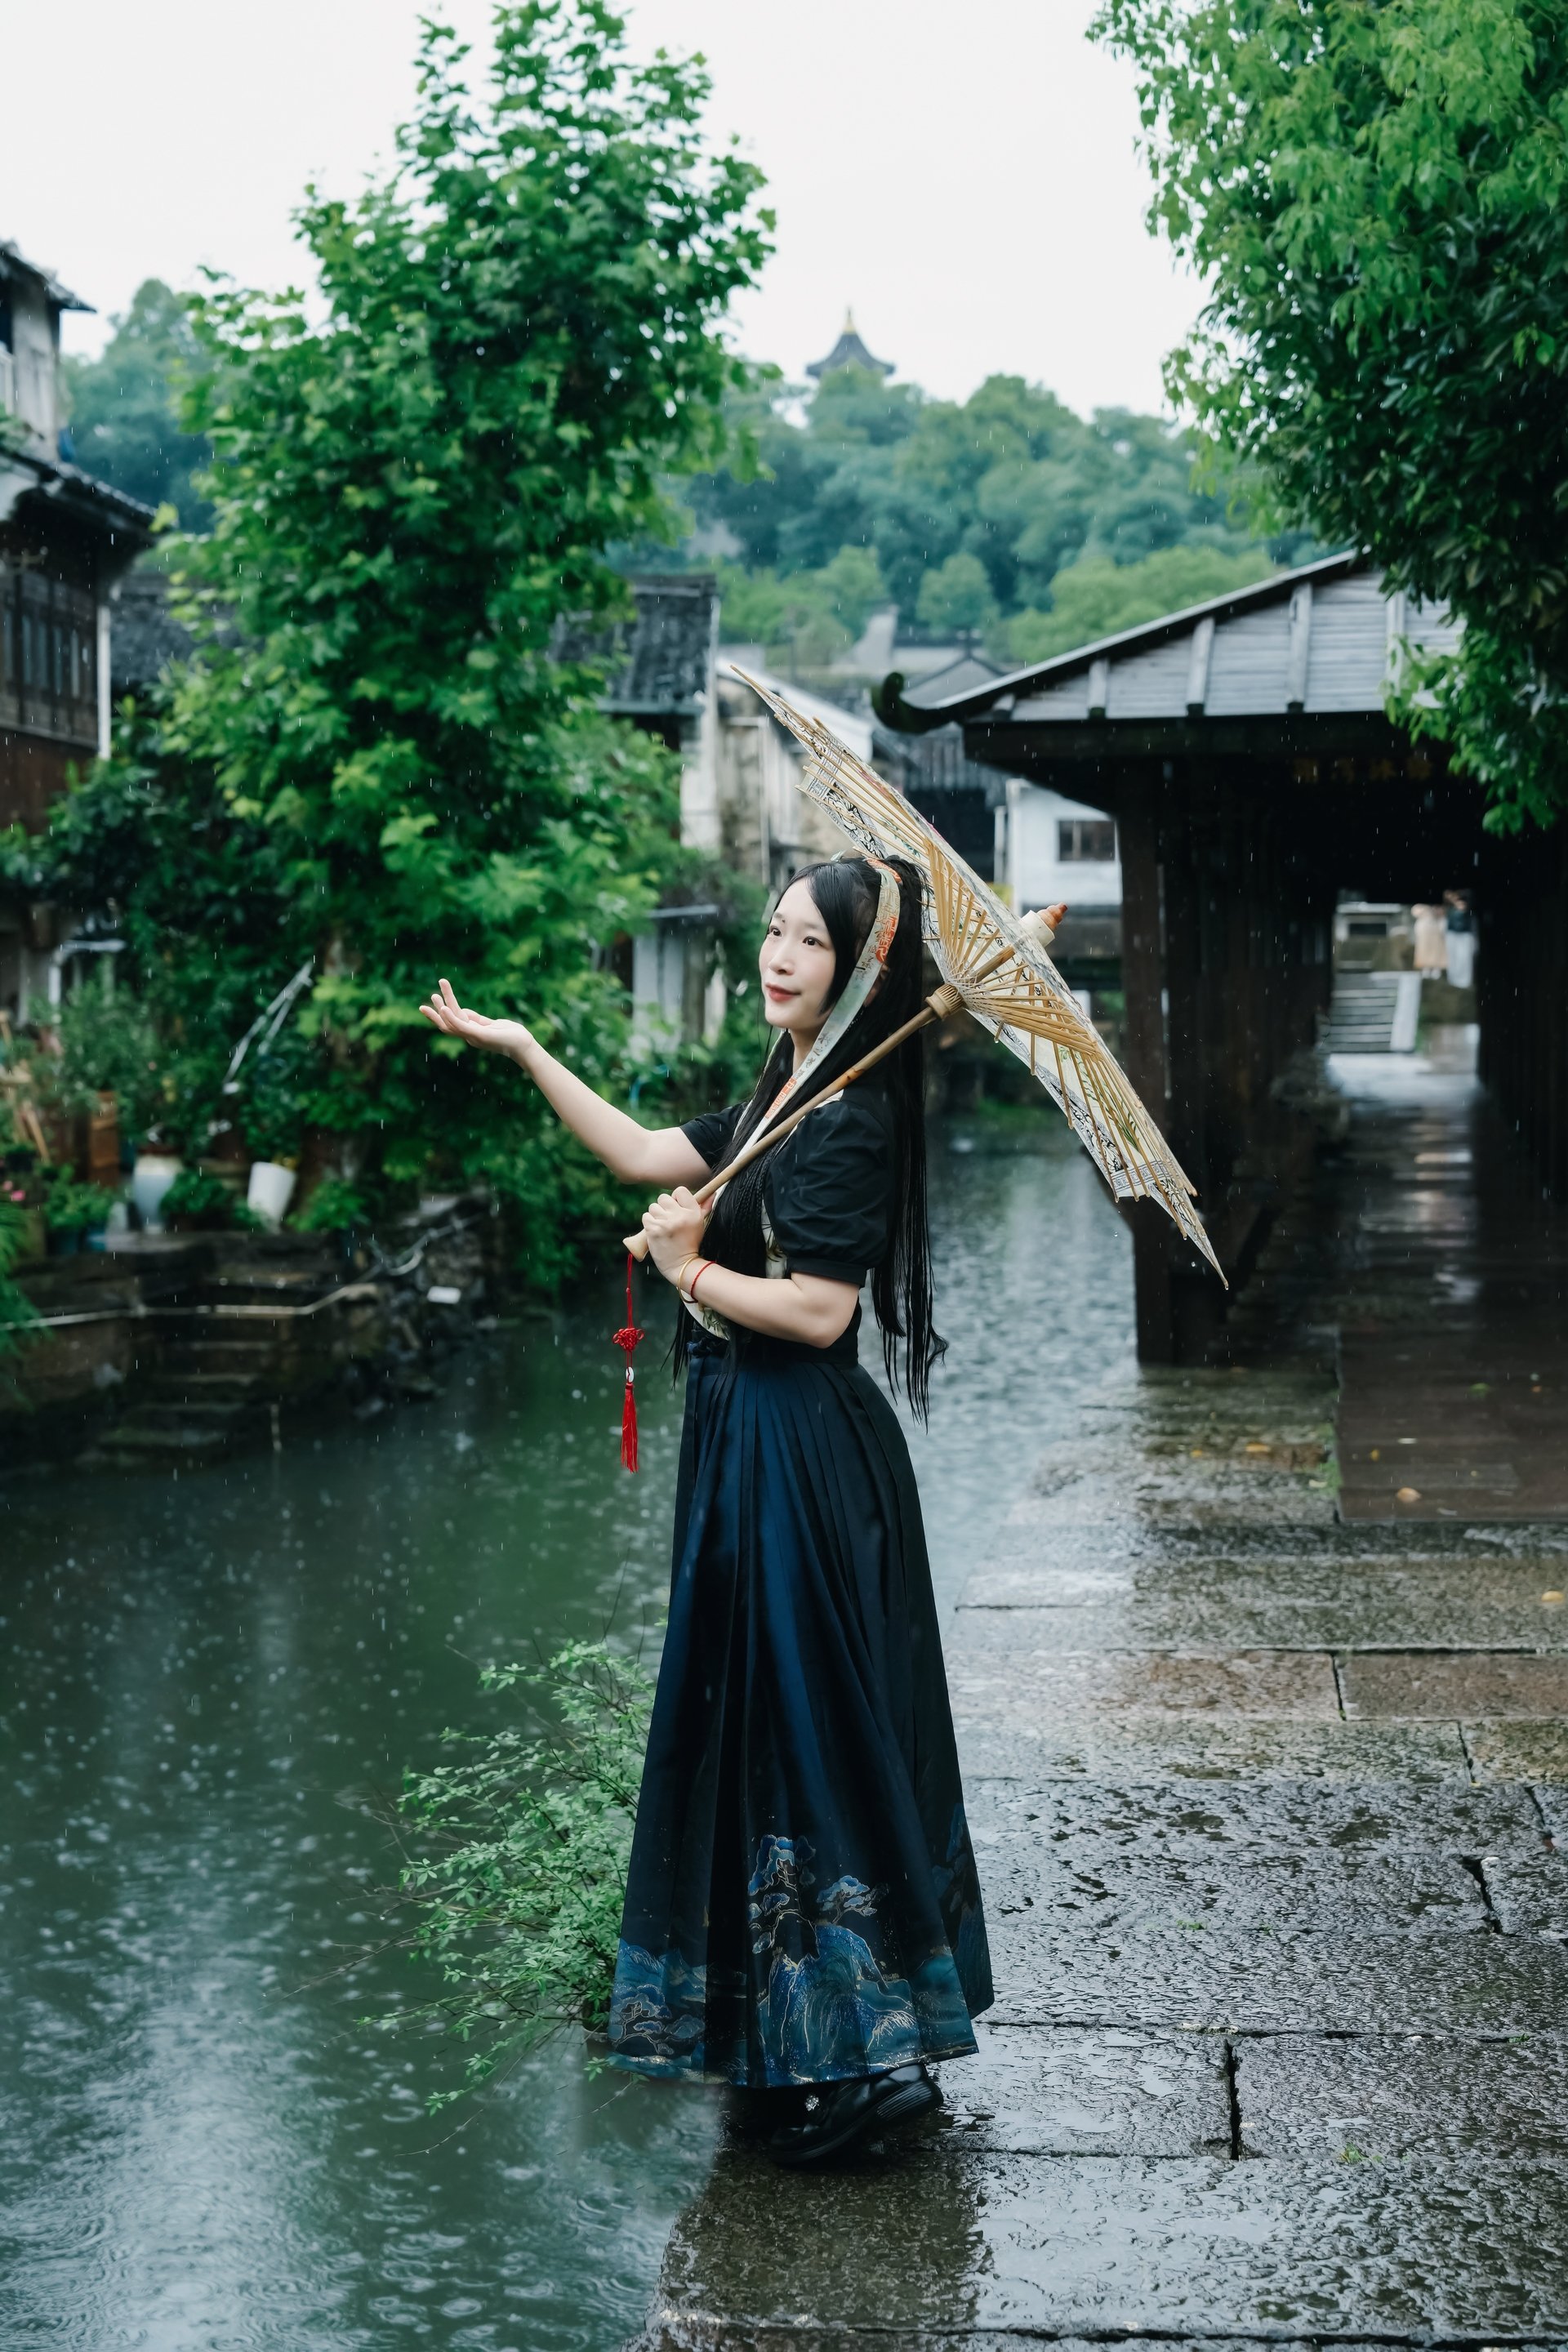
(1005,519)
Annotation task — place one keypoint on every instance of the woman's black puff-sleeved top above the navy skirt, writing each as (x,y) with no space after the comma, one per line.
(829,1189)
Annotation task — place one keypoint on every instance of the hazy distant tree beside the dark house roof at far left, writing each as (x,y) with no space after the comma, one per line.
(126,415)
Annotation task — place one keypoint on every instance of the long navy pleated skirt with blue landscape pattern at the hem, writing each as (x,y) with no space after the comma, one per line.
(803,1899)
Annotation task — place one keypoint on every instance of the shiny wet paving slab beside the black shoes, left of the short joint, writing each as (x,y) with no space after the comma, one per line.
(1090,2094)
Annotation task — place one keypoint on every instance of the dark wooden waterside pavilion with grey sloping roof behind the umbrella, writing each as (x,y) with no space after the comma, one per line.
(1252,770)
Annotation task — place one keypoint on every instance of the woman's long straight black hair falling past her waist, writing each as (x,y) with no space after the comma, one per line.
(845,893)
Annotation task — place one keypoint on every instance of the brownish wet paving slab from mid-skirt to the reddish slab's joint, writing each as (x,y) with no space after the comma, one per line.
(1007,1664)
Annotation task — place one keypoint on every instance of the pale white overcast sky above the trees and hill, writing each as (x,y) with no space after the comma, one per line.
(963,175)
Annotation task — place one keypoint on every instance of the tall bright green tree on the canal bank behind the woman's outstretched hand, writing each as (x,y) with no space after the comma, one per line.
(375,761)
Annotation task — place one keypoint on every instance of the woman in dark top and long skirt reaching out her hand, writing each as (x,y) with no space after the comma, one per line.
(803,1913)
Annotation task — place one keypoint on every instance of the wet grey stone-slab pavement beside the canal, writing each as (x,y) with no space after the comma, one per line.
(1273,1822)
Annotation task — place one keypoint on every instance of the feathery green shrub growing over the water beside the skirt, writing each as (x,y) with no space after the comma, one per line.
(516,1859)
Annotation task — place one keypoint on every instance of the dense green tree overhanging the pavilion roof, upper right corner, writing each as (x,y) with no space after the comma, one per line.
(1376,201)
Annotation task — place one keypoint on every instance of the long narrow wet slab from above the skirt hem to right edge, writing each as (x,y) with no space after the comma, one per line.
(1205,1982)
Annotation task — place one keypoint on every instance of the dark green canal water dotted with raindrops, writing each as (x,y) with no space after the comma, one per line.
(206,1681)
